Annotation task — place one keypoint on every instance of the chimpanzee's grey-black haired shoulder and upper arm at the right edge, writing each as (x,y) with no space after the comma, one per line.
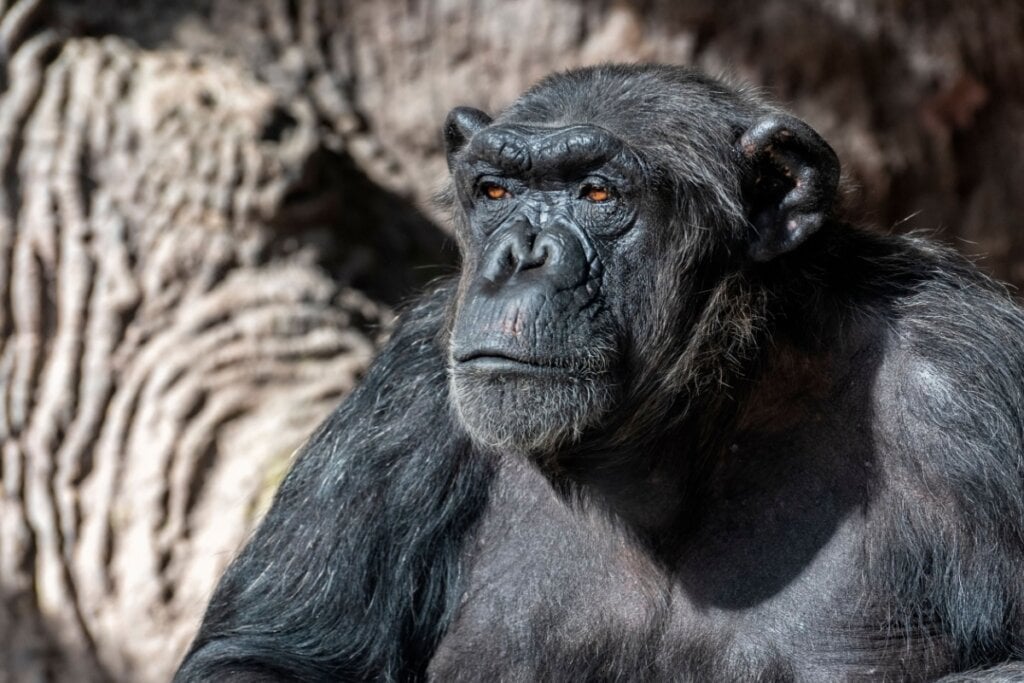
(952,416)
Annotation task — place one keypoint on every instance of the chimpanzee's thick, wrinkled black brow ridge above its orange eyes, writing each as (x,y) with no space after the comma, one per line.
(525,150)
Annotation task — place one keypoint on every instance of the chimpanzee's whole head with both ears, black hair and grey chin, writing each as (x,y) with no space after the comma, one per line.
(605,220)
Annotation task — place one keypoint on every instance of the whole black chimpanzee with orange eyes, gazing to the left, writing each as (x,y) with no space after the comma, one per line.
(677,419)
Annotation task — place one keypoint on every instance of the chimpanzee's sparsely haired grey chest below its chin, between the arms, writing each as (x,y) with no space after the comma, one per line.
(760,593)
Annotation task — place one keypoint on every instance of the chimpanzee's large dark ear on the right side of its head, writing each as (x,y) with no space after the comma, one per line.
(791,184)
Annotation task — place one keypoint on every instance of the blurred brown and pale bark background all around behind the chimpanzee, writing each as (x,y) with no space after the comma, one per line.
(209,210)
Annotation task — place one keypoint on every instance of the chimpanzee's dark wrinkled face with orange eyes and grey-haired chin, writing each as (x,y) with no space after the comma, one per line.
(549,216)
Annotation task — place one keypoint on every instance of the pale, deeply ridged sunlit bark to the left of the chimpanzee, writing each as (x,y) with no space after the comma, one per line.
(165,346)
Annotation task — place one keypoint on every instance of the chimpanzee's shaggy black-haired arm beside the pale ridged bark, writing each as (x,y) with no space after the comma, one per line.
(355,572)
